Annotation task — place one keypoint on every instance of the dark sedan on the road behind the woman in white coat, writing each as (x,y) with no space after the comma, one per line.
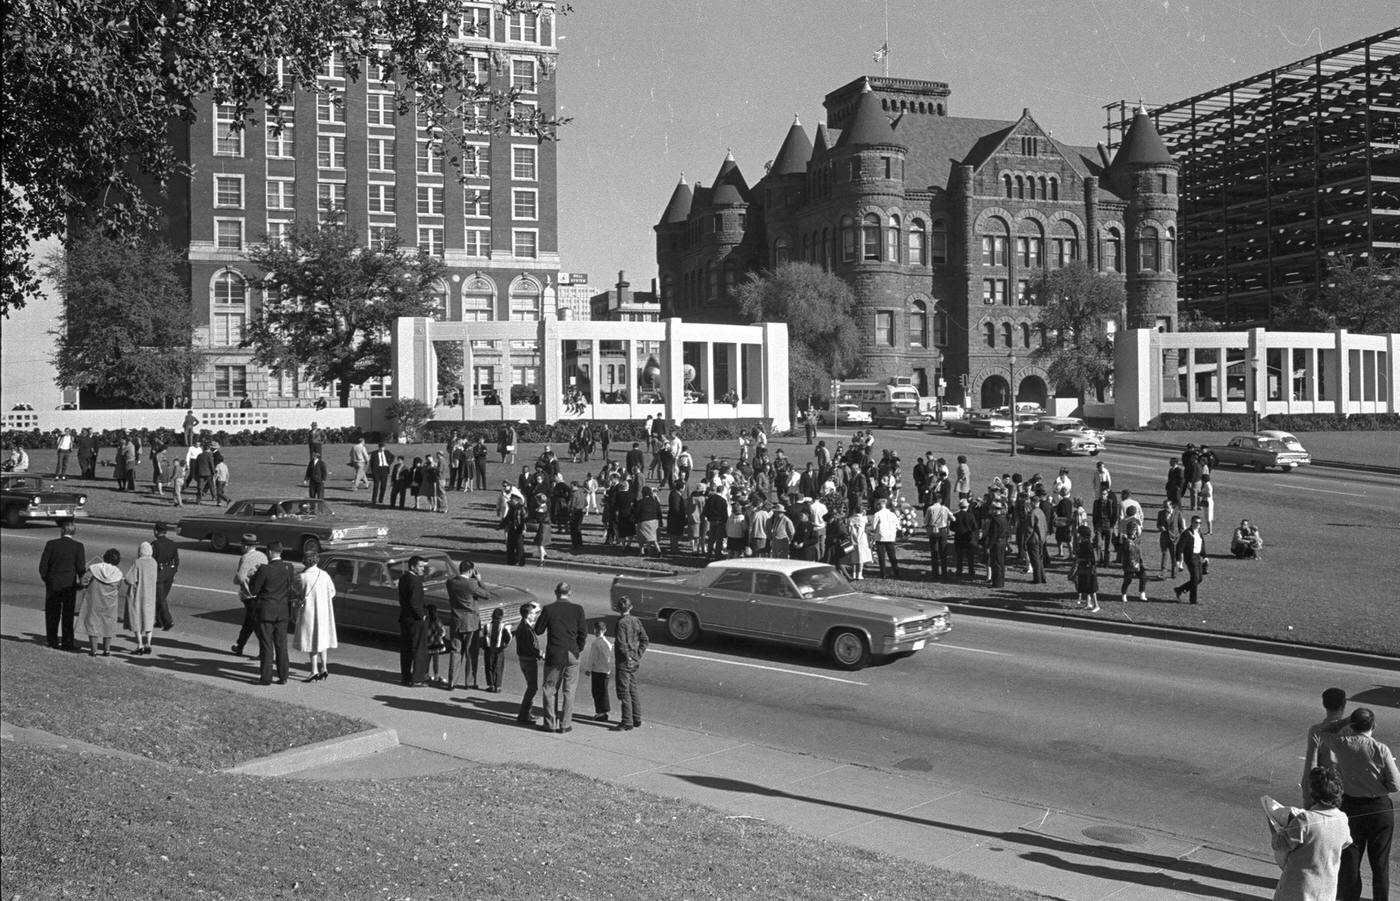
(300,524)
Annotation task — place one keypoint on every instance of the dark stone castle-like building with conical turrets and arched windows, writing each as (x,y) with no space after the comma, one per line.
(939,225)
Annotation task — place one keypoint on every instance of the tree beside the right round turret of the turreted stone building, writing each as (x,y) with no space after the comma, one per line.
(1077,304)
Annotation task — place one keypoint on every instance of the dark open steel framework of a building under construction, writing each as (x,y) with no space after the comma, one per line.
(1282,173)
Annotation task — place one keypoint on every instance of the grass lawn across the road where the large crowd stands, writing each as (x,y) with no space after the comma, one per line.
(1272,600)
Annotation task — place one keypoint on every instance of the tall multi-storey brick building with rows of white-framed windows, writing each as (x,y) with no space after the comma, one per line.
(346,148)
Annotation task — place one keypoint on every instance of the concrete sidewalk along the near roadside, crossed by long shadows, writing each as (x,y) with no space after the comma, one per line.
(909,815)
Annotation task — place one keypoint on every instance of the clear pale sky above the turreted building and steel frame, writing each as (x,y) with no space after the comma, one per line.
(663,87)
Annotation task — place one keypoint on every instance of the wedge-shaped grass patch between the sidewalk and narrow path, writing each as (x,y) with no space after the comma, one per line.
(111,703)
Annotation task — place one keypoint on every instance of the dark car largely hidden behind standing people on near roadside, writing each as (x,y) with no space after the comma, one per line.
(367,587)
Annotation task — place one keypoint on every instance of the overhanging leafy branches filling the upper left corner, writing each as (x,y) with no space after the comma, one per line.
(92,87)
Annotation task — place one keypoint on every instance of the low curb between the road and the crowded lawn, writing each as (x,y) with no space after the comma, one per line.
(1163,633)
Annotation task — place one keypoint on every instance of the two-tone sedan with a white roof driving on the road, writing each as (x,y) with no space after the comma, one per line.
(792,602)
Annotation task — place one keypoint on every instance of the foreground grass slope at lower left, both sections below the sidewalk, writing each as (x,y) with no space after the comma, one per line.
(94,826)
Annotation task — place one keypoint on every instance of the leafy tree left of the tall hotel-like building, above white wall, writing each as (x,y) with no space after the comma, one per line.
(125,329)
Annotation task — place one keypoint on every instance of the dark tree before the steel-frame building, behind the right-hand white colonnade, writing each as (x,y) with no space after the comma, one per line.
(1353,297)
